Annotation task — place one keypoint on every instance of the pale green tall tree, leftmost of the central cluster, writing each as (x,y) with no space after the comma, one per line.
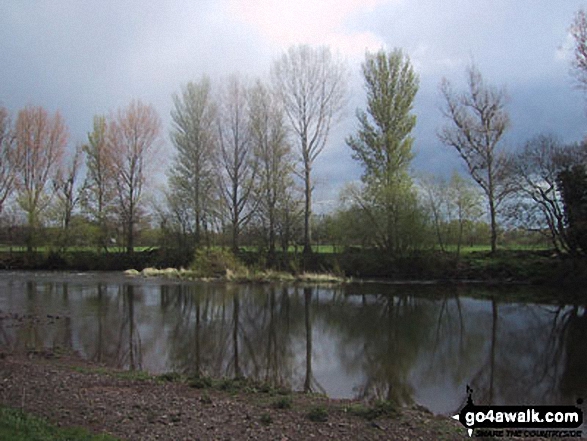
(192,176)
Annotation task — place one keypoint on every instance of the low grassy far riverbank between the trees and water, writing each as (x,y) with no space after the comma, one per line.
(533,267)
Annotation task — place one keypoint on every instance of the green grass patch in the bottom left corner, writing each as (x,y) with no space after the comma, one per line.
(16,425)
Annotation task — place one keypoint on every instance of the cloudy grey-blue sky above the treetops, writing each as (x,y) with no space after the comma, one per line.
(92,57)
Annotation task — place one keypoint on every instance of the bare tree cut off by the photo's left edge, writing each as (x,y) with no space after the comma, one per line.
(8,158)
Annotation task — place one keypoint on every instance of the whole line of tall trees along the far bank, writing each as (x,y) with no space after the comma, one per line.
(244,152)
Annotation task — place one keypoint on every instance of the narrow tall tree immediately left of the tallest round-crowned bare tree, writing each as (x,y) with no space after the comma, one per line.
(273,153)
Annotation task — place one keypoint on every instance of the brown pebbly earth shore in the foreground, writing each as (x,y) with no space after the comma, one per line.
(68,391)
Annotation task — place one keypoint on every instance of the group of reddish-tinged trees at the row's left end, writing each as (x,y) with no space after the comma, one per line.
(44,183)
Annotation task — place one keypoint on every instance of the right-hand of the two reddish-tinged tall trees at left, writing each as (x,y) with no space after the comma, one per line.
(134,136)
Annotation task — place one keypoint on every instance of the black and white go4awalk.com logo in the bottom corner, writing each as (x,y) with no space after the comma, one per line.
(521,421)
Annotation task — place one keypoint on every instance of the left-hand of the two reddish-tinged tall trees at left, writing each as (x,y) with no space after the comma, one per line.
(40,142)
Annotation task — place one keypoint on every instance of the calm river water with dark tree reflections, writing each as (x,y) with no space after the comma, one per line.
(405,344)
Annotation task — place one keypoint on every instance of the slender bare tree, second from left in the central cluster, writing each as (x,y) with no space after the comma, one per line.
(237,162)
